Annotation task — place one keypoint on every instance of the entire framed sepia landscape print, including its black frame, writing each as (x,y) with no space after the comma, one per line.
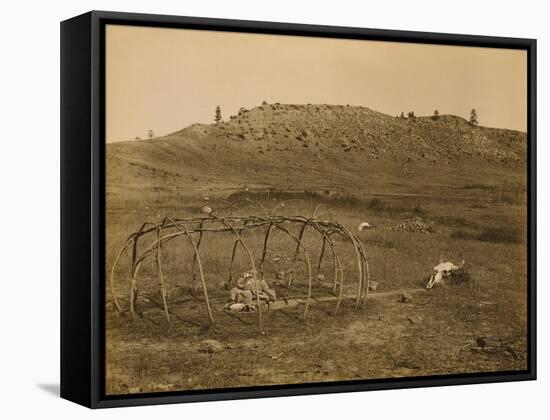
(254,209)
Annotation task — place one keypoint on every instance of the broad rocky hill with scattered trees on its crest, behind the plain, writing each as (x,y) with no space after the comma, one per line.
(312,146)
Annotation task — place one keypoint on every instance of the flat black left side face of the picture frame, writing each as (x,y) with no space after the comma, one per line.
(75,124)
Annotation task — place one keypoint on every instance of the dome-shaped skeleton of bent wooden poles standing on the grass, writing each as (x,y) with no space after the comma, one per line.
(160,234)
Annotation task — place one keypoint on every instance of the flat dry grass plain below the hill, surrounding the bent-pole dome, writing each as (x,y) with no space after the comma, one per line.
(434,333)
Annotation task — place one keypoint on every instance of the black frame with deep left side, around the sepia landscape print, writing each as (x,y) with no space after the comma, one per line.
(83,199)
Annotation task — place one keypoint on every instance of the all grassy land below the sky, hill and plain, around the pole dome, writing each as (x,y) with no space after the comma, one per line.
(467,183)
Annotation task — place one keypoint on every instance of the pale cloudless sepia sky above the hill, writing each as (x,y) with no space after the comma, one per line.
(166,79)
